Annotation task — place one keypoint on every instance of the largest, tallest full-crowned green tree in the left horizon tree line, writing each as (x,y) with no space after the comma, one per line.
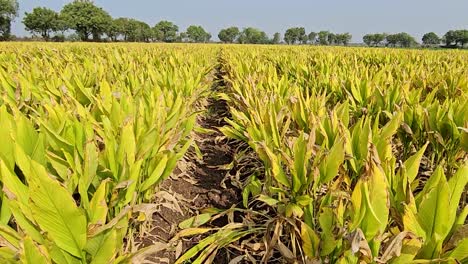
(86,19)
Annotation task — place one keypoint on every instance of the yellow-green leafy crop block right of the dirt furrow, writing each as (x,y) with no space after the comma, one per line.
(364,154)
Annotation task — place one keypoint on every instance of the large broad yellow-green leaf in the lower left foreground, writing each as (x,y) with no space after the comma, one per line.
(56,212)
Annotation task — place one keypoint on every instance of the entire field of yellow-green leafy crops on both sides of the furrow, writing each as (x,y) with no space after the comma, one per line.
(340,155)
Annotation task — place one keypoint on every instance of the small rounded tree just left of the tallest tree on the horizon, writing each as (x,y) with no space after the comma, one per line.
(43,21)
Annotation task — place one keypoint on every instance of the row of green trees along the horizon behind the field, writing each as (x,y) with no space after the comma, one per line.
(92,23)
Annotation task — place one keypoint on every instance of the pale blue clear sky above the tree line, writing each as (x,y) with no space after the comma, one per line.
(355,16)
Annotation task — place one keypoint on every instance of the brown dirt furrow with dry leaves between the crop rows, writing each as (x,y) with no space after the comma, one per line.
(196,184)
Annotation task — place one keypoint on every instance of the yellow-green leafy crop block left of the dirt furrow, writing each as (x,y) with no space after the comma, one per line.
(88,132)
